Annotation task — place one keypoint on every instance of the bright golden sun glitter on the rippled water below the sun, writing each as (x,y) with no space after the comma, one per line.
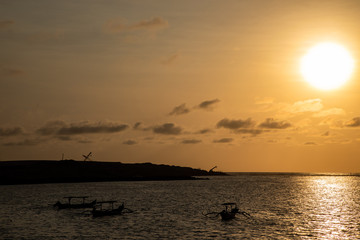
(330,203)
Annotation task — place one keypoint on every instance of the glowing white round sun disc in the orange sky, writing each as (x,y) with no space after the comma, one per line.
(327,66)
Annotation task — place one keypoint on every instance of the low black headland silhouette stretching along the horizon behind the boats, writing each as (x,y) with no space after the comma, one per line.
(67,171)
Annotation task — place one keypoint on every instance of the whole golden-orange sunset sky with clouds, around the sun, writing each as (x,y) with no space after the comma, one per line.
(190,83)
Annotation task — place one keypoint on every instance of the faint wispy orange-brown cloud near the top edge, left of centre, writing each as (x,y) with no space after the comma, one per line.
(154,24)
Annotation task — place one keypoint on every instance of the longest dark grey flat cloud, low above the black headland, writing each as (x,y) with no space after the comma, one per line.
(61,128)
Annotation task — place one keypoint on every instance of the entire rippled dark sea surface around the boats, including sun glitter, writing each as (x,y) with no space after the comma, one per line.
(281,206)
